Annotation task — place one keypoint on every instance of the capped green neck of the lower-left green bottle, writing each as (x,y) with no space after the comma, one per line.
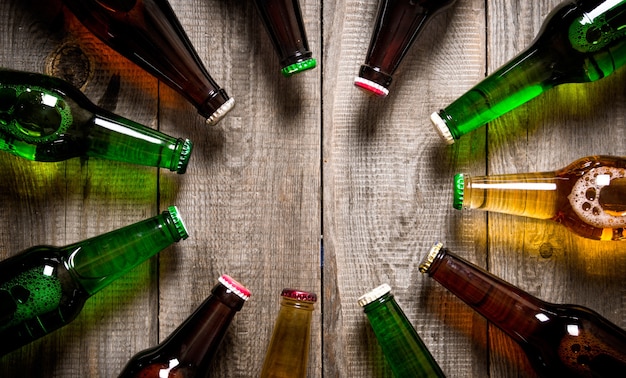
(98,261)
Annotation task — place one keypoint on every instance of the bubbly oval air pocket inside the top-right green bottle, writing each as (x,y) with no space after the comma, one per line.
(597,28)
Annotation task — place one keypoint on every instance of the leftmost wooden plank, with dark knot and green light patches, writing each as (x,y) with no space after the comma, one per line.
(61,203)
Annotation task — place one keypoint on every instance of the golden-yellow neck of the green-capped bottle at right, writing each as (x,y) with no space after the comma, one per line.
(534,195)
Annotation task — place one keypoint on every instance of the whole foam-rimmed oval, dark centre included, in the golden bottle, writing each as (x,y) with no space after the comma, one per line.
(599,197)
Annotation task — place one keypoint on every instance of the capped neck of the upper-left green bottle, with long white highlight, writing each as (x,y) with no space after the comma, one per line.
(116,138)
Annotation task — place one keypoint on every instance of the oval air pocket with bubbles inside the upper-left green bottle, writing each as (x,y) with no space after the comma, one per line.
(33,114)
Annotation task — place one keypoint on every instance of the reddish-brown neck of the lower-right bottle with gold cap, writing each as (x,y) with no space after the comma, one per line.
(511,309)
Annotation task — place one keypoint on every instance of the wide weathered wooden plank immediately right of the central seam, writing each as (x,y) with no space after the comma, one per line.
(387,188)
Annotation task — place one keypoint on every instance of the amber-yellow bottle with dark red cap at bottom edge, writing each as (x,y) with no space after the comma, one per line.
(288,352)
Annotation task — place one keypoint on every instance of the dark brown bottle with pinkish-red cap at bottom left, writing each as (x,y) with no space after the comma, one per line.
(188,351)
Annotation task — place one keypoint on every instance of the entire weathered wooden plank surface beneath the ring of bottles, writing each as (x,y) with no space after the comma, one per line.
(303,157)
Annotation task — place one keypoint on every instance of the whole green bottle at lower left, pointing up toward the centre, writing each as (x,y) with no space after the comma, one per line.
(44,287)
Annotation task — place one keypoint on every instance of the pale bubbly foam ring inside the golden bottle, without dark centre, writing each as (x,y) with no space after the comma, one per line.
(585,197)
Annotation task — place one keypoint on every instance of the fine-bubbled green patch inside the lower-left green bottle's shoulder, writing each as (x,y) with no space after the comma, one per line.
(28,295)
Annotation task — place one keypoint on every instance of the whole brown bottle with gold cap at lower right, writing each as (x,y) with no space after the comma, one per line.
(559,340)
